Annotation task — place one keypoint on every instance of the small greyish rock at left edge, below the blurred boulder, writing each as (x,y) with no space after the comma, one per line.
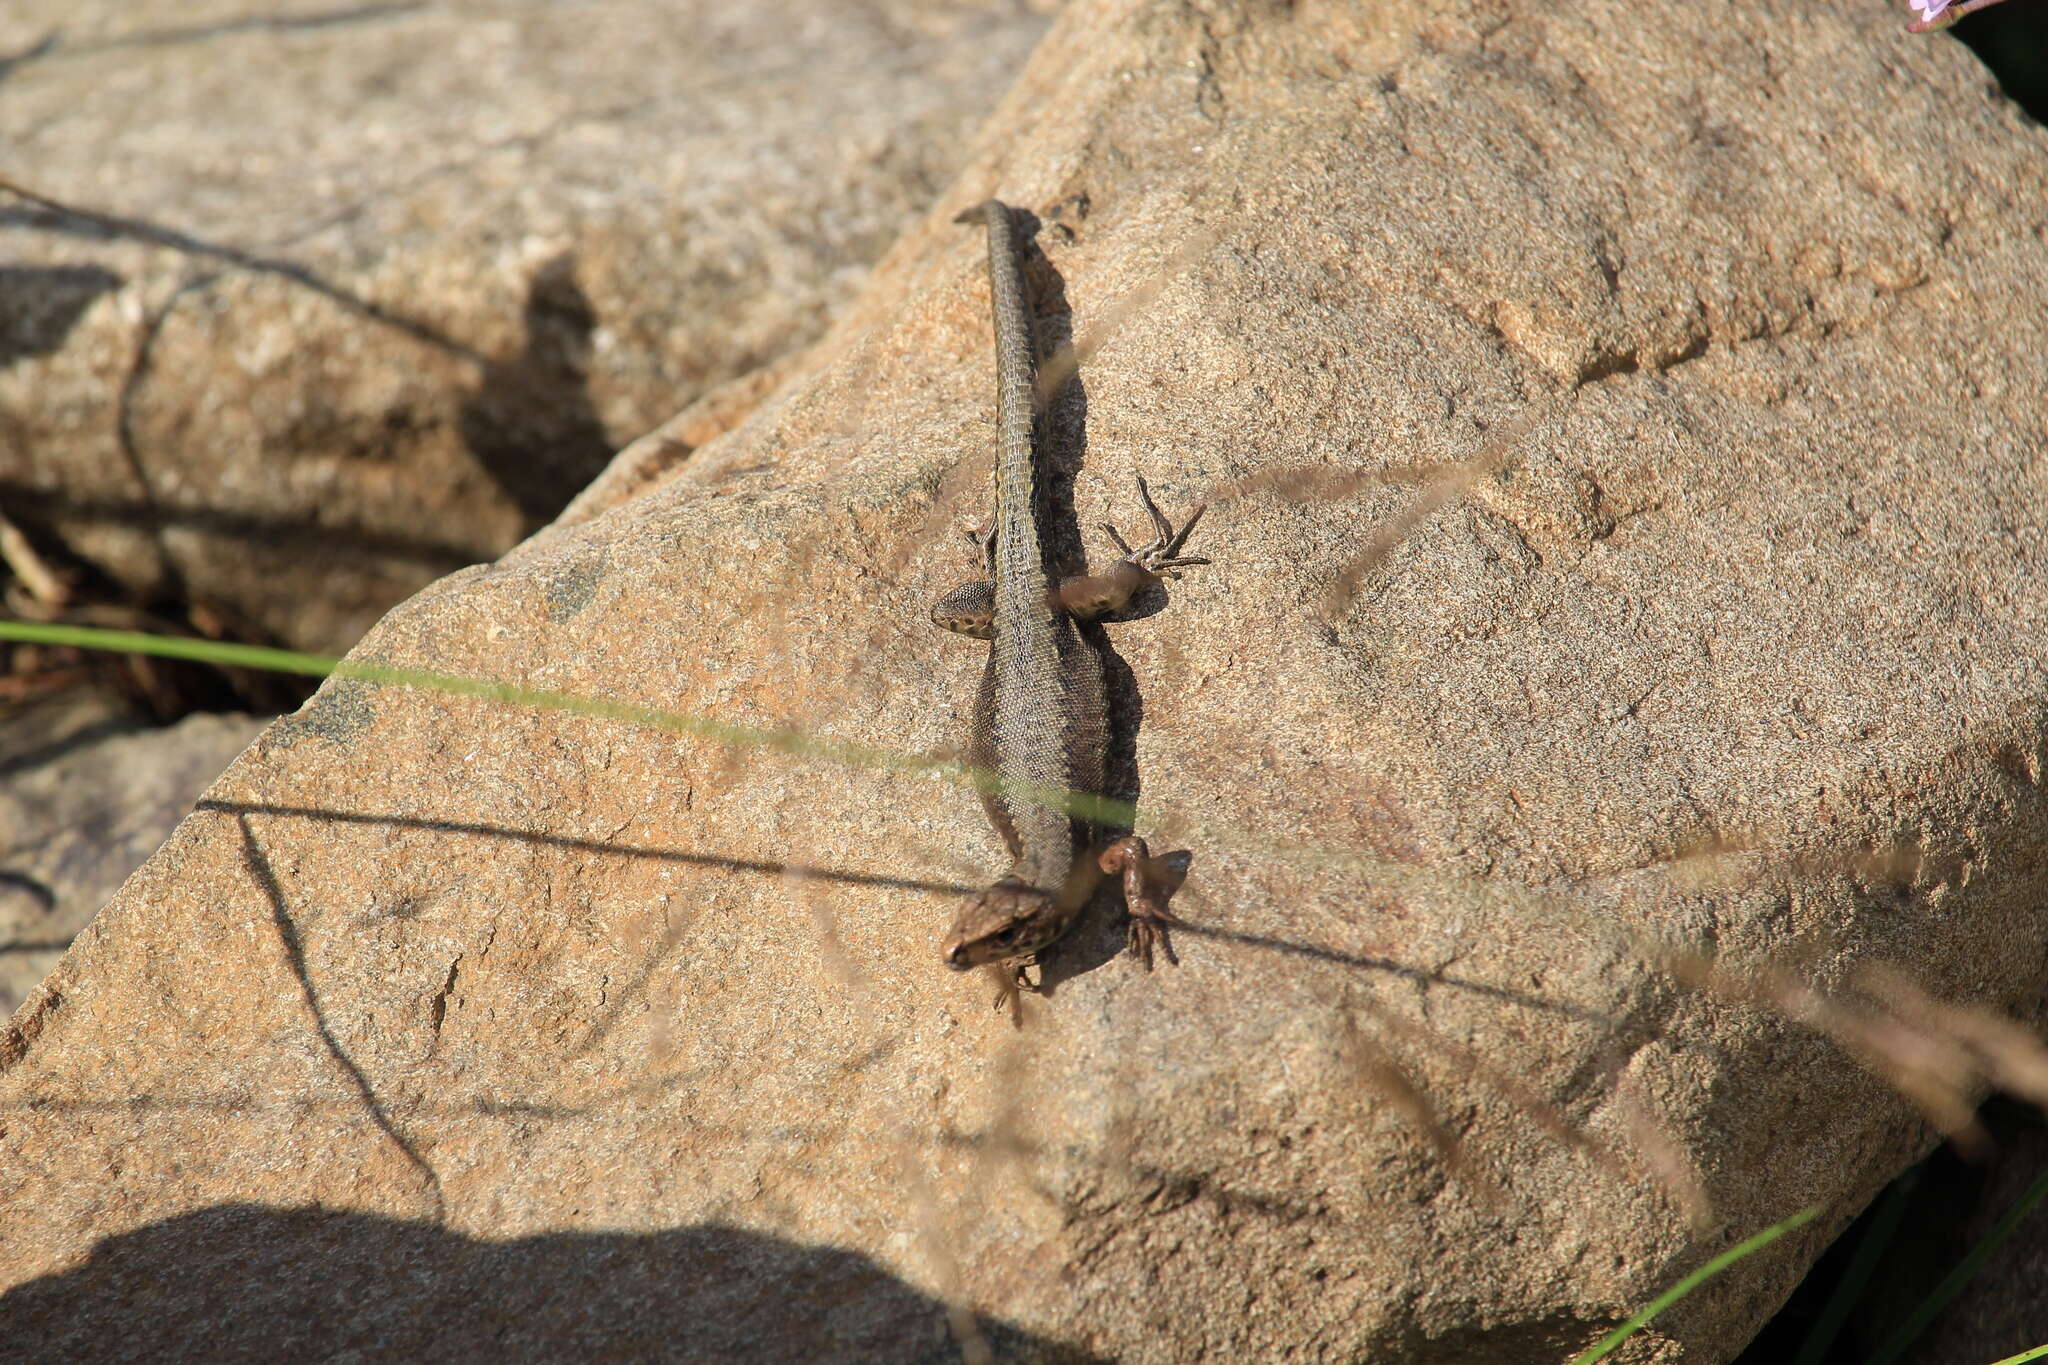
(87,793)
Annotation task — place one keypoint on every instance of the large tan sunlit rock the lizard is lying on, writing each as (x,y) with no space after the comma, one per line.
(1752,288)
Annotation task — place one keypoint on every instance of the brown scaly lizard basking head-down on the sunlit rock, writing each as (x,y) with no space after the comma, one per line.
(1041,713)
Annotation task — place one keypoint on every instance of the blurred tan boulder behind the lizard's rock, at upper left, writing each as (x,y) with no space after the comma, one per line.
(376,290)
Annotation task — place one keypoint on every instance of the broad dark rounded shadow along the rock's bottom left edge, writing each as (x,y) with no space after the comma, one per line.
(245,1282)
